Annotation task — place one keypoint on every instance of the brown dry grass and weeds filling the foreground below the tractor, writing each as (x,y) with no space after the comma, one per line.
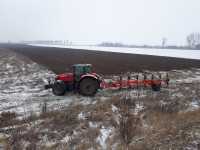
(152,128)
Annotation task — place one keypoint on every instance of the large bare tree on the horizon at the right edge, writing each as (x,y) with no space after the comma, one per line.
(193,40)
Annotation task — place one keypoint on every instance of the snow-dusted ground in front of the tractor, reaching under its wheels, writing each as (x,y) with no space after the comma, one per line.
(22,86)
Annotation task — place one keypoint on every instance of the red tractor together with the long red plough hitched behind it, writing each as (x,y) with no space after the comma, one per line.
(87,83)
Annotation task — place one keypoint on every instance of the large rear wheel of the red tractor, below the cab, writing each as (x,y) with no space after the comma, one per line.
(88,86)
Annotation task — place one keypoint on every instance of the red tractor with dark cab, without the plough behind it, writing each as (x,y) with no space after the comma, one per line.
(82,80)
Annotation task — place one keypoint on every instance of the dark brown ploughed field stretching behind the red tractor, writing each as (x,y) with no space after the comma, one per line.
(58,59)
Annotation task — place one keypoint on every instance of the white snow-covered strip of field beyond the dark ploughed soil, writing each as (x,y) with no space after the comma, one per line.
(188,54)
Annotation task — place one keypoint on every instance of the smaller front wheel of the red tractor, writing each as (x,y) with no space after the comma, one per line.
(59,88)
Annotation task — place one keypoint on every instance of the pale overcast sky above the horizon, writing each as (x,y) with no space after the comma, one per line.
(89,21)
